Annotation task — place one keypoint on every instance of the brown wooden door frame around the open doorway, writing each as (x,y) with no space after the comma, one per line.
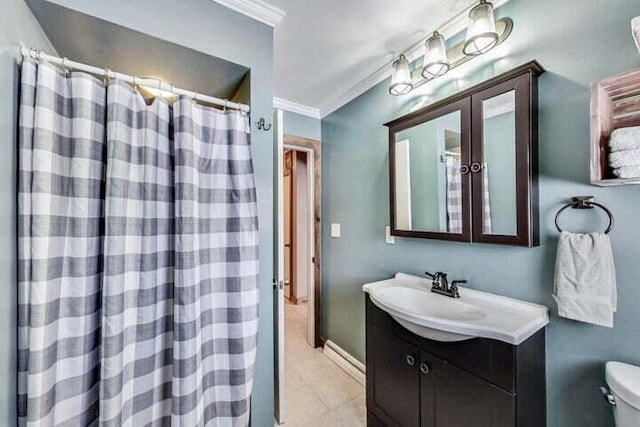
(312,148)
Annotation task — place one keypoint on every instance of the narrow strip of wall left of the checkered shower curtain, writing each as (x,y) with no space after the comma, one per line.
(17,25)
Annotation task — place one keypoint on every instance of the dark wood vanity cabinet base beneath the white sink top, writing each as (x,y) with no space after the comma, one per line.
(416,382)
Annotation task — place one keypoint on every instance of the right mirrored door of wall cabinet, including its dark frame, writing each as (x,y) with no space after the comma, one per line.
(504,163)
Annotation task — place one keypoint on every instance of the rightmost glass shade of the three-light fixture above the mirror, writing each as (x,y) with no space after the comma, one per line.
(481,32)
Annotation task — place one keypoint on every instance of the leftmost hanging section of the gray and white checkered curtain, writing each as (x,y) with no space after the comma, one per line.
(60,206)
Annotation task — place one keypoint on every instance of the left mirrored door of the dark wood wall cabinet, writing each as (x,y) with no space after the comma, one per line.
(429,174)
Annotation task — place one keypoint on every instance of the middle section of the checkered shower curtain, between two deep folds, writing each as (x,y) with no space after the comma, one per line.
(137,292)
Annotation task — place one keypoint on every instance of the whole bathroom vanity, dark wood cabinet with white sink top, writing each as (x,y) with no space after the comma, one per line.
(436,361)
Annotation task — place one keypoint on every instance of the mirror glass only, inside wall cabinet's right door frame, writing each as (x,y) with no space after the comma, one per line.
(499,169)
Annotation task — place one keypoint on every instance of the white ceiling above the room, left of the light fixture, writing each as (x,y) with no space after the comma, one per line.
(325,49)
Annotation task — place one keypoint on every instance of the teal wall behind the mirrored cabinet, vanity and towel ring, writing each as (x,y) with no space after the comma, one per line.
(577,42)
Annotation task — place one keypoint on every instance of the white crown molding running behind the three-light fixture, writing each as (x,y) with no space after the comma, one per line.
(449,29)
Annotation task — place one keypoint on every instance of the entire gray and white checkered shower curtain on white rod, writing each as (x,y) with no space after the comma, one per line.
(138,257)
